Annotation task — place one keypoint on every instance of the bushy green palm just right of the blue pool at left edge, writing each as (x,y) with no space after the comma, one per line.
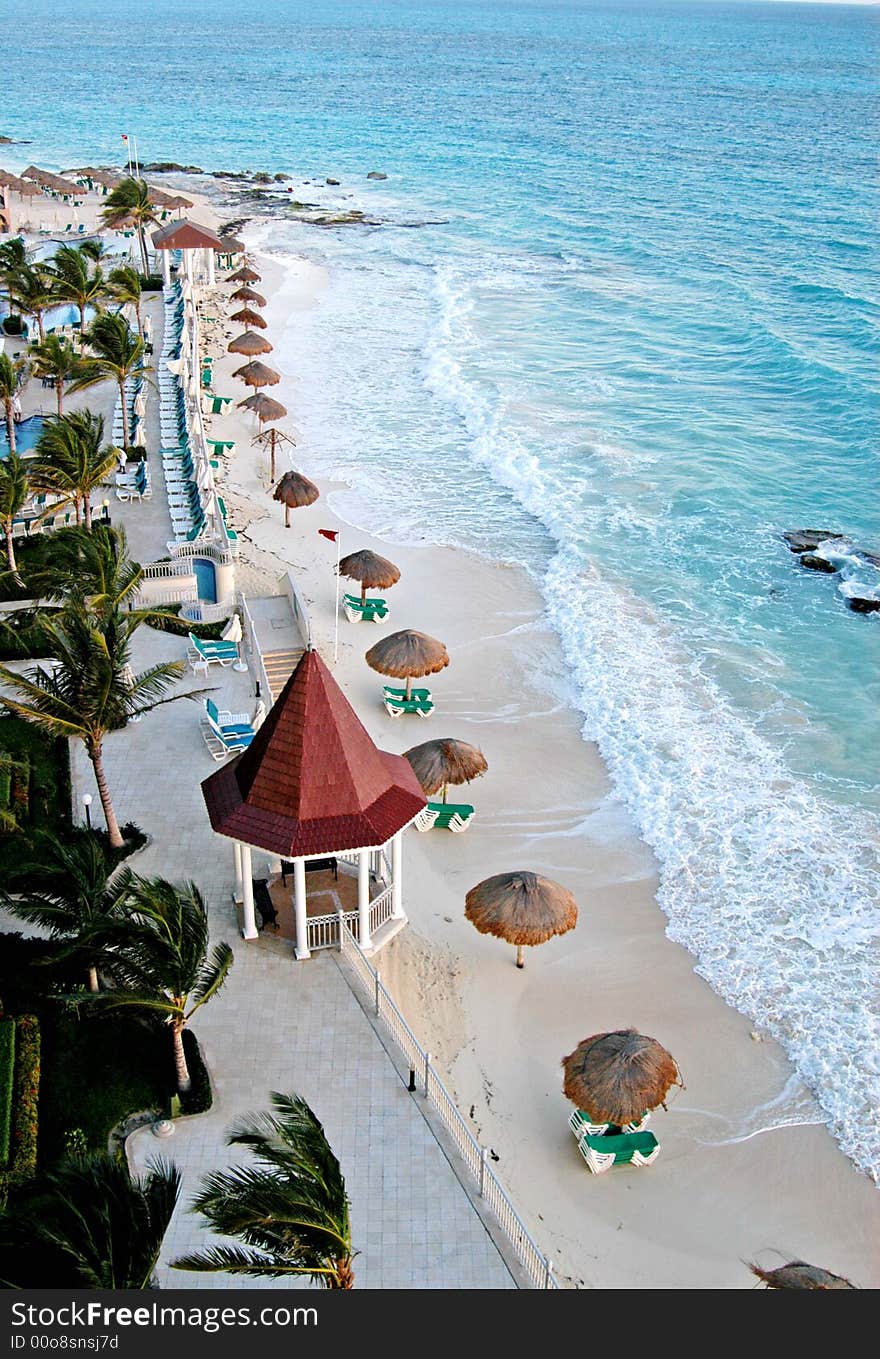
(73,460)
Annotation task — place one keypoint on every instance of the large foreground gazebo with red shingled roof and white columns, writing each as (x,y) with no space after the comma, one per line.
(313,786)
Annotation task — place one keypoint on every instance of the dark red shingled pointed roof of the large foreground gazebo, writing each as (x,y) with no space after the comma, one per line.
(313,782)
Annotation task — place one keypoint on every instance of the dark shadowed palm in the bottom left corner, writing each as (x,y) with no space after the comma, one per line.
(89,1225)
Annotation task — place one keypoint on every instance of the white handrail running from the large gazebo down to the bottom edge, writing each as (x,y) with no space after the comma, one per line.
(537,1265)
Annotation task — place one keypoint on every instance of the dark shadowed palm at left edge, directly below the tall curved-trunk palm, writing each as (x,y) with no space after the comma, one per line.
(66,888)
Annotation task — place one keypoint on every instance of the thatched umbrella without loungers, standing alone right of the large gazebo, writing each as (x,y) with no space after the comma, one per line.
(522,908)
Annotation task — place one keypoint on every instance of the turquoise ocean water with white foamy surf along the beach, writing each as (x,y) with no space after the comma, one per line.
(620,324)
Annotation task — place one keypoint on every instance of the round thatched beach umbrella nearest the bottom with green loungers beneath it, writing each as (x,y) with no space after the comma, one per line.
(617,1077)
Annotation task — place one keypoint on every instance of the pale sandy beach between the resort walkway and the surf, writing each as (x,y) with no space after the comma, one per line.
(456,987)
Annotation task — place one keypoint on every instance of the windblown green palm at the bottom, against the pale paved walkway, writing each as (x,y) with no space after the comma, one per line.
(293,1210)
